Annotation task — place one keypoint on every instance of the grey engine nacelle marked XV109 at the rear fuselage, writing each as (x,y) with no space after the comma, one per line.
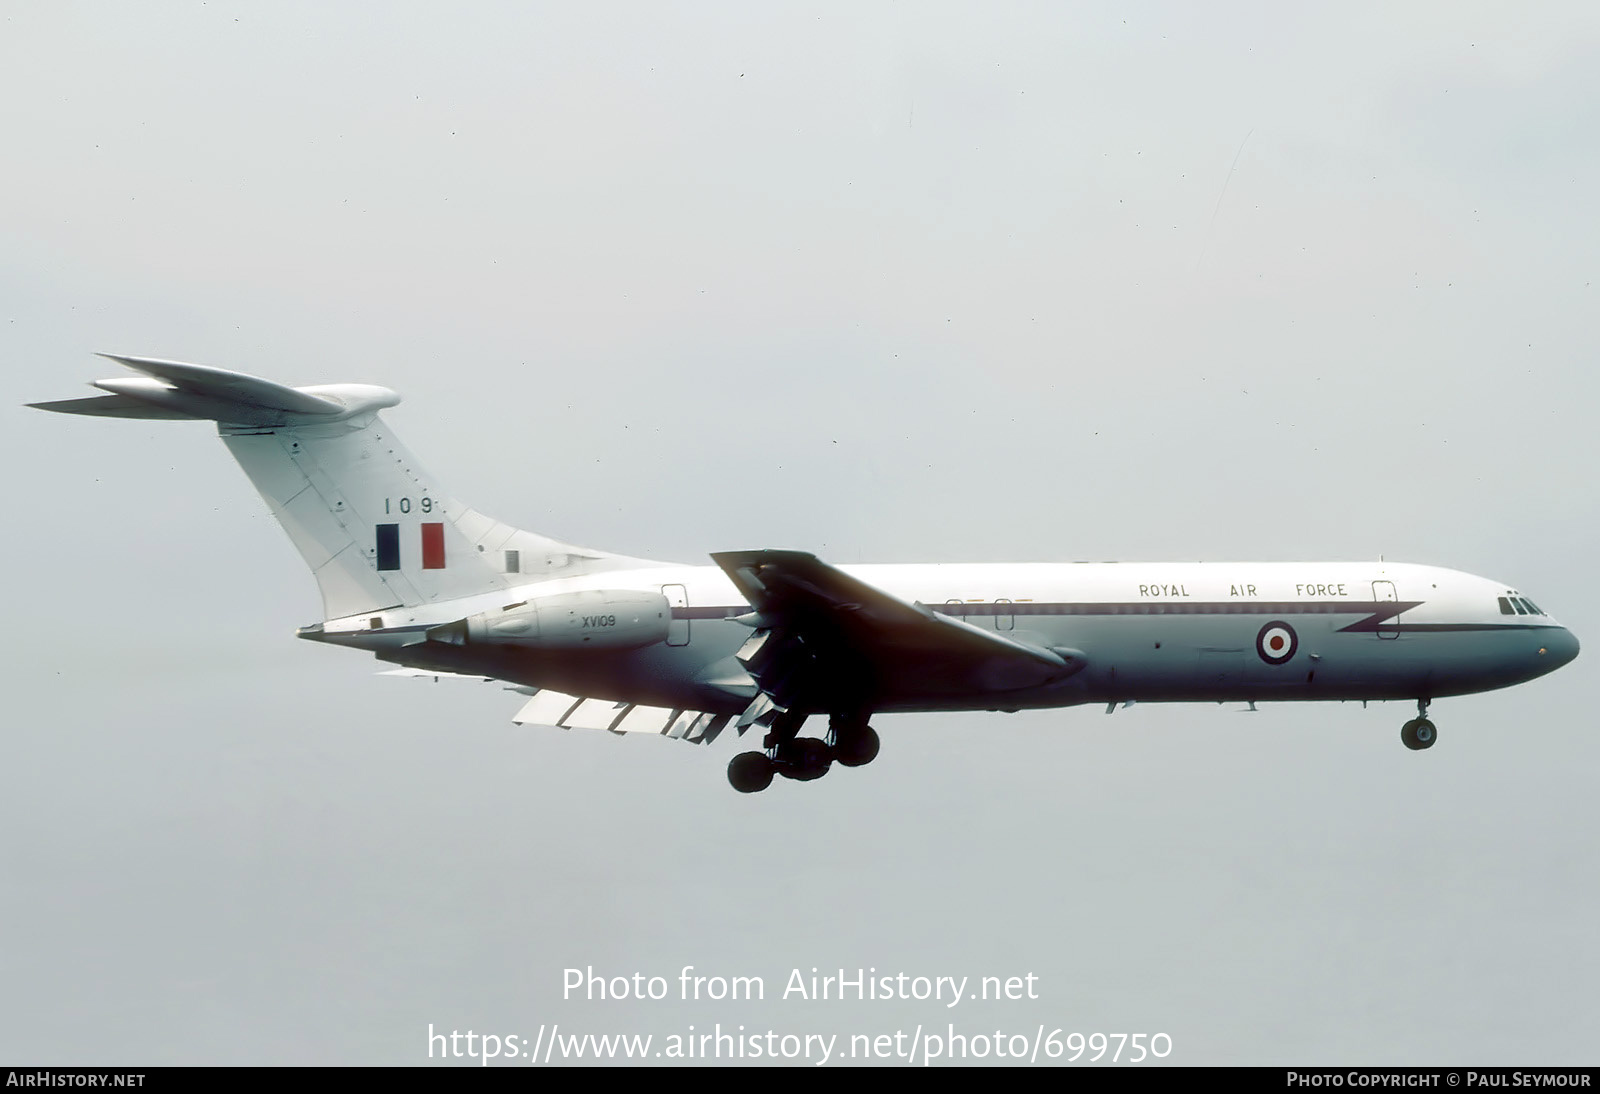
(593,620)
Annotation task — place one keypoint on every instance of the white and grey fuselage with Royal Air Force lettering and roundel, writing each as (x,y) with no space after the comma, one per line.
(1148,633)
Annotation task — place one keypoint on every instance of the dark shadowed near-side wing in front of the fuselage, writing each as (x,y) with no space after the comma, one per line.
(826,642)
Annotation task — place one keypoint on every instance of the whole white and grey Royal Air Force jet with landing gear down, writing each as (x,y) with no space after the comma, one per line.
(772,637)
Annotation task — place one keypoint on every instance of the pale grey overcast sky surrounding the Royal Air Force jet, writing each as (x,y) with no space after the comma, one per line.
(886,282)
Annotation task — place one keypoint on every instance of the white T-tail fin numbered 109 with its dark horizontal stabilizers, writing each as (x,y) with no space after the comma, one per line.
(372,524)
